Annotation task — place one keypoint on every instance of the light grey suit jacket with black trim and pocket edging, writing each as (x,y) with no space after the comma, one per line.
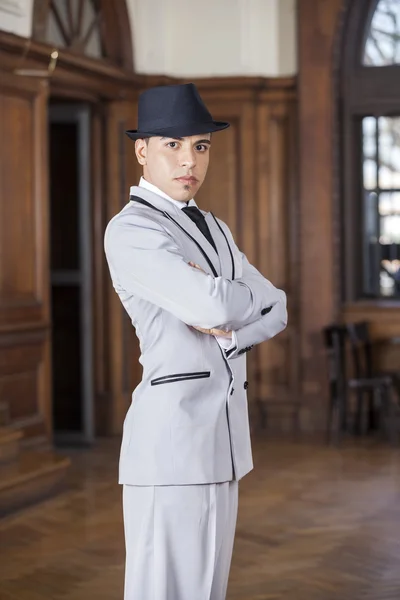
(188,421)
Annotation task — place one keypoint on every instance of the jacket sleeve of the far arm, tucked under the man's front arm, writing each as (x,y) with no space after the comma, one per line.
(272,321)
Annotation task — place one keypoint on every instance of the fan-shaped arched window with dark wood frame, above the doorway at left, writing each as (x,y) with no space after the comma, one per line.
(95,28)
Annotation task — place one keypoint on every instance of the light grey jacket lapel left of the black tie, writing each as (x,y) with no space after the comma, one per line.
(182,221)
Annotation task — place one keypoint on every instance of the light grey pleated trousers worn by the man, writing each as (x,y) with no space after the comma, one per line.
(179,540)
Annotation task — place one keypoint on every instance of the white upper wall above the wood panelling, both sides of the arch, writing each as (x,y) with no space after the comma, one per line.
(198,38)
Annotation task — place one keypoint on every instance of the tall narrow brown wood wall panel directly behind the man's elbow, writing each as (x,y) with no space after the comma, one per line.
(277,361)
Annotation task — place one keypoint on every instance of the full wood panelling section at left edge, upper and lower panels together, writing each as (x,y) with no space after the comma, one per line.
(24,294)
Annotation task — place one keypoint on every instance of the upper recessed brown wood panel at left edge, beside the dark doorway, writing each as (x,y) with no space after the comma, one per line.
(23,213)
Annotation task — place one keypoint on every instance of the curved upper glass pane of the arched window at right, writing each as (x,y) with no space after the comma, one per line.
(383,42)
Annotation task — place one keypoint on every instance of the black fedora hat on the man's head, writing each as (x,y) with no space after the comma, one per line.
(173,111)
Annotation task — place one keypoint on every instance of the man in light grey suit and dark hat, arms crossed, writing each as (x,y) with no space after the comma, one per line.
(197,306)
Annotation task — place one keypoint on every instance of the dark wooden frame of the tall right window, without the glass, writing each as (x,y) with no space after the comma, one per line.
(360,96)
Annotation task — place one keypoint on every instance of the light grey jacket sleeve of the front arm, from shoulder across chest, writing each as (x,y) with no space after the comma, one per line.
(145,261)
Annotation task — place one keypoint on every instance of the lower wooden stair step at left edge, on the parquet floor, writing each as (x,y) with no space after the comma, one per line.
(34,476)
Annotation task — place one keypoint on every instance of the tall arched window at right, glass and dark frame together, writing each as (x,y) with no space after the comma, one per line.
(370,111)
